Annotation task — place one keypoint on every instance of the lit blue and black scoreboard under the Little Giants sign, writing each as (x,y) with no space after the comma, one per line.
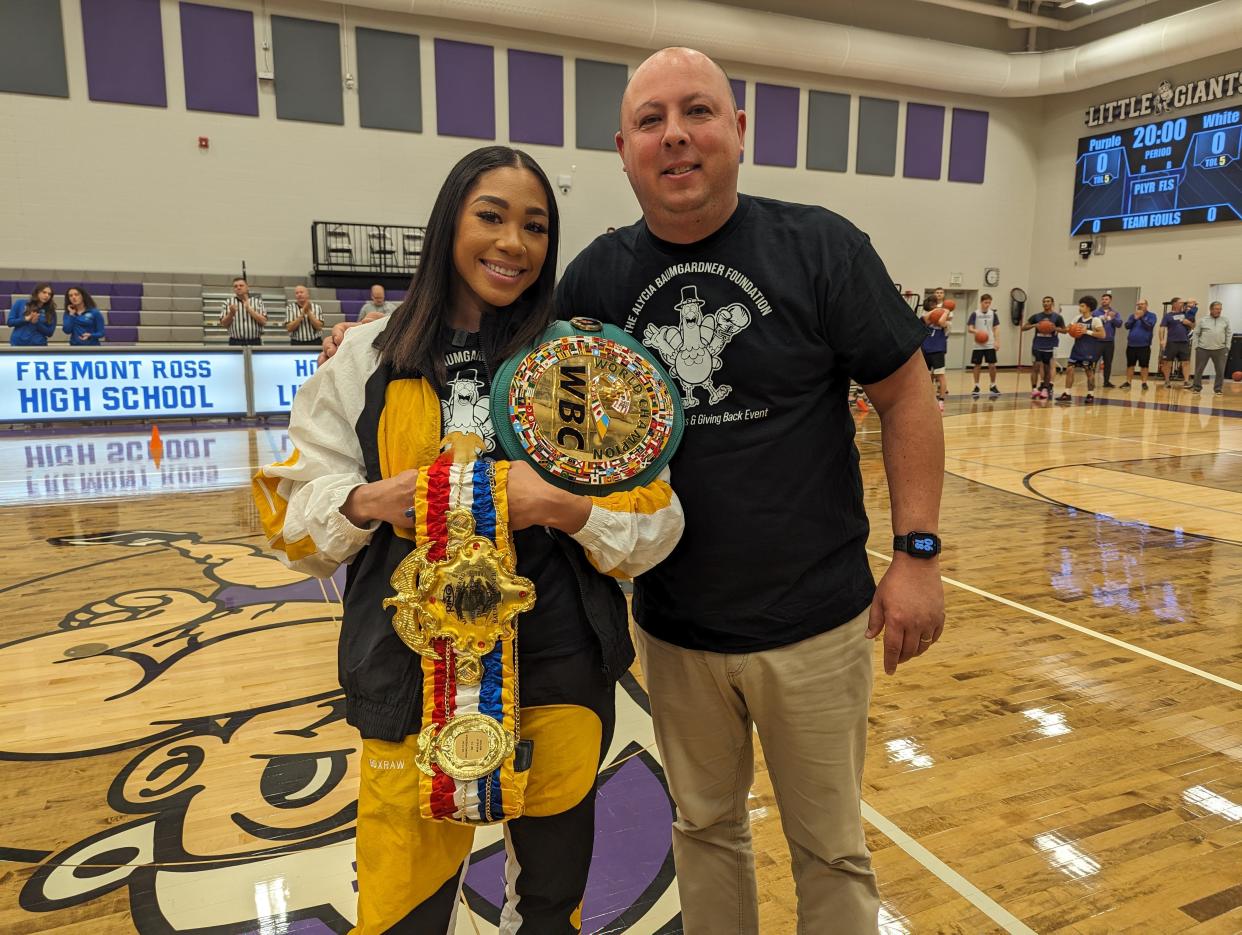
(1167,174)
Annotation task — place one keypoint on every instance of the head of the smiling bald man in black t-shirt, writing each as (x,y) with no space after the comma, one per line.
(681,140)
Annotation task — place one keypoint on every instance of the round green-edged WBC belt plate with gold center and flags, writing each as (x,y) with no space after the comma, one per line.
(589,408)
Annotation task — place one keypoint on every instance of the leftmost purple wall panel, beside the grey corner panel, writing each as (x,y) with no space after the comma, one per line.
(125,52)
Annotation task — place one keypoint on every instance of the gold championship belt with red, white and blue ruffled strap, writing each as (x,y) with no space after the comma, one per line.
(458,602)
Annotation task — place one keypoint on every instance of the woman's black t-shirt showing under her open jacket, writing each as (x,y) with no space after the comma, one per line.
(557,625)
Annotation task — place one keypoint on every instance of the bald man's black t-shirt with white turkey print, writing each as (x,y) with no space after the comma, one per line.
(762,325)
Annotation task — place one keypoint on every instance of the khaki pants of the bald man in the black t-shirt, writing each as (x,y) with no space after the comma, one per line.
(809,703)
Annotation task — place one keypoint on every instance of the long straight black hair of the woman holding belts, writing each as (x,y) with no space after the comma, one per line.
(417,336)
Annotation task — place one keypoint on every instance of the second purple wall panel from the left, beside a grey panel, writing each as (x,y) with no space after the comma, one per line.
(218,52)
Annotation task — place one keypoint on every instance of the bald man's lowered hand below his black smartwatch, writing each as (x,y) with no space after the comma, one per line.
(909,609)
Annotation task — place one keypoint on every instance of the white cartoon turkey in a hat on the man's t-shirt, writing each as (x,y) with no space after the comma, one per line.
(692,348)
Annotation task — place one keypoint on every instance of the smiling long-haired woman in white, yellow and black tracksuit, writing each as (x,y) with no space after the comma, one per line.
(367,427)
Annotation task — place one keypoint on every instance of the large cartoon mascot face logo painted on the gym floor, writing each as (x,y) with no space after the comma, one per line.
(179,757)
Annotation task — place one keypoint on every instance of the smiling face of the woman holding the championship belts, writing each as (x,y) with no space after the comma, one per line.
(502,238)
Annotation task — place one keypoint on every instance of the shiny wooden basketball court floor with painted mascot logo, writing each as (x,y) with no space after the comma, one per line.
(1067,761)
